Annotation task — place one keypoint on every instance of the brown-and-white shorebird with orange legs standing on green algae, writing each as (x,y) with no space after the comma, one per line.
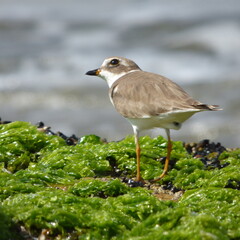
(147,100)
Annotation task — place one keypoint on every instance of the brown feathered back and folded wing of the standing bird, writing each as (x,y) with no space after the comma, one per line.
(142,94)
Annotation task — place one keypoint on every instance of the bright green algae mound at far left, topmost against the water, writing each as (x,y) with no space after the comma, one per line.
(20,143)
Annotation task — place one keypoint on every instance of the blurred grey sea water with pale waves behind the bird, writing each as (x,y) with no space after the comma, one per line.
(46,47)
